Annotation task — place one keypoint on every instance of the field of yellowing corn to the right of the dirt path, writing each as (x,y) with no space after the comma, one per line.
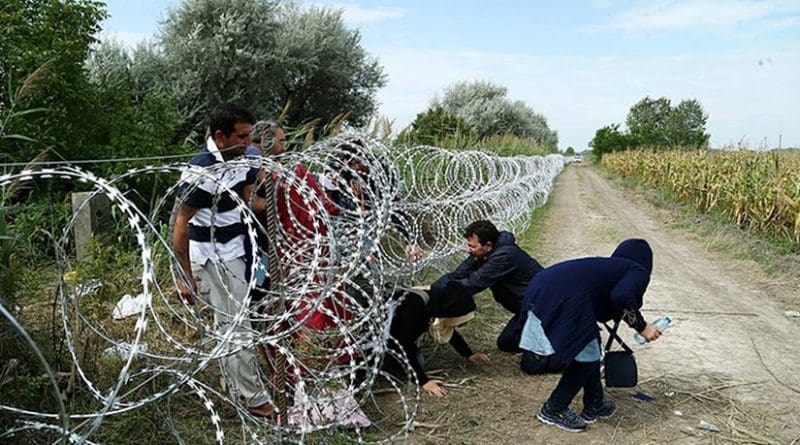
(756,190)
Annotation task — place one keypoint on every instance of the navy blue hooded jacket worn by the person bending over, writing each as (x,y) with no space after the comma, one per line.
(571,297)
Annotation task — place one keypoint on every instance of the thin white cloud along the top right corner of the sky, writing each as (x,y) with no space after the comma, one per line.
(705,16)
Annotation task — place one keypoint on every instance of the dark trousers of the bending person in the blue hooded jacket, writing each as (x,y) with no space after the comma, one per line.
(577,376)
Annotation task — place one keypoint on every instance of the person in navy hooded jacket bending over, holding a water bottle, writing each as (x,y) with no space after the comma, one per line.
(564,302)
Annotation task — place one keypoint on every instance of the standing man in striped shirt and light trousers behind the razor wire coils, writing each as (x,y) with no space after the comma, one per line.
(208,239)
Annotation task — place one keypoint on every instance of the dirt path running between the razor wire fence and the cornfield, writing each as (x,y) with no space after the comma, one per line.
(730,359)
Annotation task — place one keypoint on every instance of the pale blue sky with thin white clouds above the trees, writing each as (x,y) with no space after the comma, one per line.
(580,64)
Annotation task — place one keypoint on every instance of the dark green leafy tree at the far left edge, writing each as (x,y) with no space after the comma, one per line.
(57,35)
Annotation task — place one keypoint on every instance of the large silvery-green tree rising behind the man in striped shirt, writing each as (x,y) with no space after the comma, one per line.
(263,55)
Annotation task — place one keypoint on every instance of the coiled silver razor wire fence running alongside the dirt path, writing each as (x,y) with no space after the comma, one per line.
(351,210)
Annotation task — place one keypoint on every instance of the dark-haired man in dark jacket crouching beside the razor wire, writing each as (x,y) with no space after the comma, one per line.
(495,262)
